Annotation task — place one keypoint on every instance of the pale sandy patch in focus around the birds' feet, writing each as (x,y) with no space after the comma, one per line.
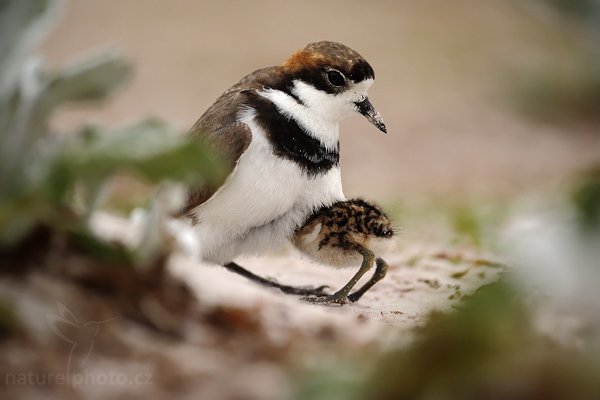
(420,280)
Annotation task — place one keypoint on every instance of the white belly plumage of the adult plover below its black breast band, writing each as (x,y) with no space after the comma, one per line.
(261,204)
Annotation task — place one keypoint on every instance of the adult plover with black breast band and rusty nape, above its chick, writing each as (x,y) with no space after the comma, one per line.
(280,128)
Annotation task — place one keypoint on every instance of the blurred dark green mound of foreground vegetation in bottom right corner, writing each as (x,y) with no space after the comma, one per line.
(487,349)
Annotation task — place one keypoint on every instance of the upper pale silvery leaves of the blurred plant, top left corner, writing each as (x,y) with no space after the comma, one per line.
(29,93)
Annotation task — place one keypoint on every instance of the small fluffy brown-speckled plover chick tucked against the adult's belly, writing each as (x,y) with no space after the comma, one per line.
(345,234)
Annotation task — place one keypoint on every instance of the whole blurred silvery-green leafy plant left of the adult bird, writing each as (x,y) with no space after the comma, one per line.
(41,172)
